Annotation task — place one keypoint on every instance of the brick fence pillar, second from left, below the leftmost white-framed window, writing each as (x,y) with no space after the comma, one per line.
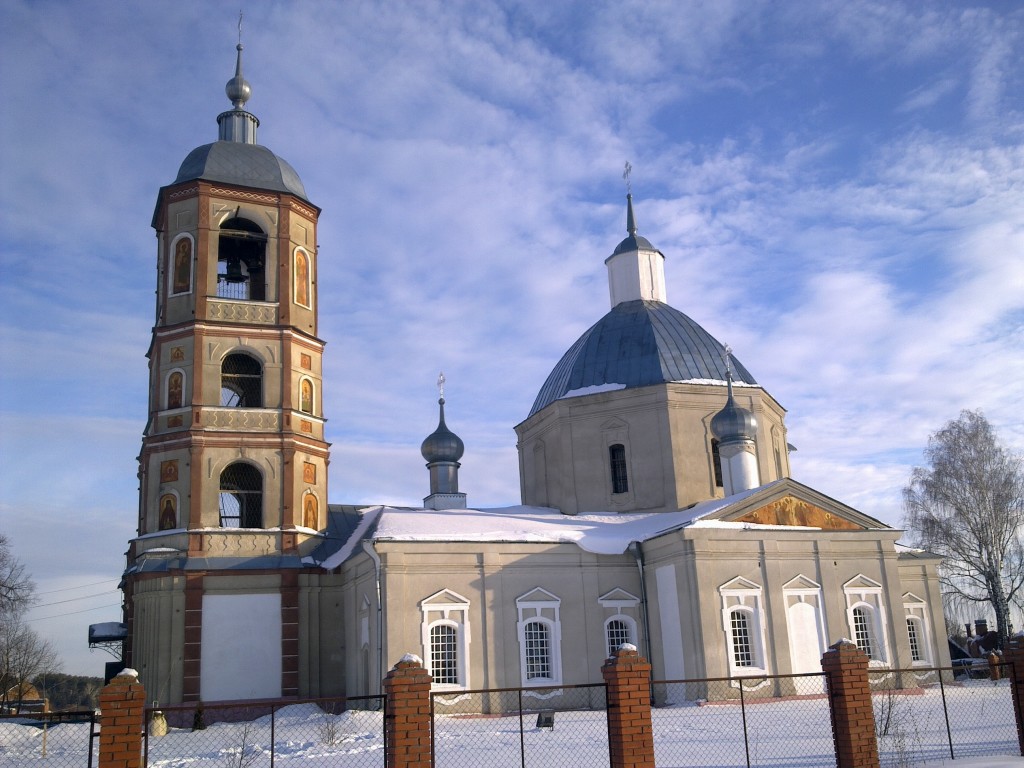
(407,715)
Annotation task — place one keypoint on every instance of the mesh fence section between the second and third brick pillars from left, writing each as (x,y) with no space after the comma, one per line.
(564,727)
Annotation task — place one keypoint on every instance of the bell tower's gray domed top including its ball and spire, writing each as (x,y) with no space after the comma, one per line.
(236,158)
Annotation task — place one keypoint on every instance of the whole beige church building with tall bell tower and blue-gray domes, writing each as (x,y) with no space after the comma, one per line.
(658,507)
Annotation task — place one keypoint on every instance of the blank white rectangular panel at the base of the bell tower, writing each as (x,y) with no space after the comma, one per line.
(241,648)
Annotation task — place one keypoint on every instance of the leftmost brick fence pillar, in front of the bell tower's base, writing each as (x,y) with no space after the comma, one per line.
(122,719)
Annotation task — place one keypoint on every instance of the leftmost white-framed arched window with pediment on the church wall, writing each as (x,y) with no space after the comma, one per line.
(446,639)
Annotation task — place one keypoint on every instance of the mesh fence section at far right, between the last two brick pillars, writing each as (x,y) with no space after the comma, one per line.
(932,714)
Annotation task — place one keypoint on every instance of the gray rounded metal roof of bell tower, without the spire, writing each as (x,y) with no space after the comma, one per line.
(242,164)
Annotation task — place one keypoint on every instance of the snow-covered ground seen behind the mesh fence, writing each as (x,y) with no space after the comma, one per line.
(782,734)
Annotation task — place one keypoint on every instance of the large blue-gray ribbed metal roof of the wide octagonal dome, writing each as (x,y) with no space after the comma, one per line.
(638,345)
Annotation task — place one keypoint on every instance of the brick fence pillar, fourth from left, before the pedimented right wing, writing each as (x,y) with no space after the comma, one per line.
(850,701)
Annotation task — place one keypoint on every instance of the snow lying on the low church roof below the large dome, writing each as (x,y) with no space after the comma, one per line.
(607,534)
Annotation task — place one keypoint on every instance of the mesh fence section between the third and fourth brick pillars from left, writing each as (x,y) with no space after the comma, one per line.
(754,721)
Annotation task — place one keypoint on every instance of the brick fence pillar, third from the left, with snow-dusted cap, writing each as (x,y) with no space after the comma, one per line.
(631,740)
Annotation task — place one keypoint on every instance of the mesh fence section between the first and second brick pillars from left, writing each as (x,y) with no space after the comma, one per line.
(346,733)
